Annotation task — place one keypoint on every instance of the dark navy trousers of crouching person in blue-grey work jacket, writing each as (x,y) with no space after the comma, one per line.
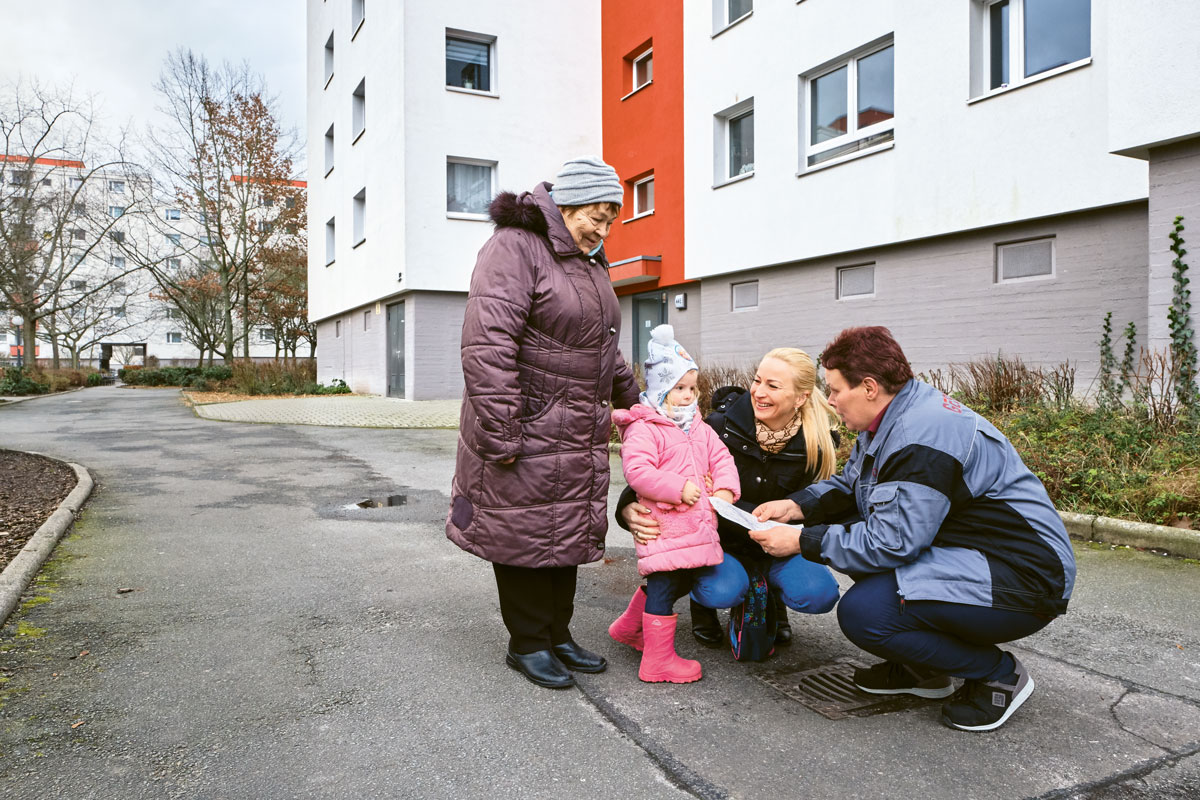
(953,639)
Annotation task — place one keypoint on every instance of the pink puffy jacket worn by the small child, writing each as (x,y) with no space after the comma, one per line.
(658,459)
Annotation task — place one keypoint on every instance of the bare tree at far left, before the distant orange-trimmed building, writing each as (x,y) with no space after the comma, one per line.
(67,201)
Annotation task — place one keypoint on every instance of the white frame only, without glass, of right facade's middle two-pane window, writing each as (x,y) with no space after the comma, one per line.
(854,134)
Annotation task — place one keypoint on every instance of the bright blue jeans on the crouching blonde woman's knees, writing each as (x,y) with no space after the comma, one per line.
(806,587)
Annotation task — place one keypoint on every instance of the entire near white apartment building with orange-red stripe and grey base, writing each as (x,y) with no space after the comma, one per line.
(982,177)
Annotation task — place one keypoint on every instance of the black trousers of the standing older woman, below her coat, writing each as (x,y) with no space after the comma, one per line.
(537,605)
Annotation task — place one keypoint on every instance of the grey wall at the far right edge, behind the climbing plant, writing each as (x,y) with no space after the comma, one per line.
(1174,191)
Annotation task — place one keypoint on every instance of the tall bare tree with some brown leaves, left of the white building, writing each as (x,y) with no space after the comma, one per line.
(227,165)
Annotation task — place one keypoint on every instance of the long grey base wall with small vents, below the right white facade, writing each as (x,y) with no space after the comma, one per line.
(941,302)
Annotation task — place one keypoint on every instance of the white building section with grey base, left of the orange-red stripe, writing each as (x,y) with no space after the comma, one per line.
(418,115)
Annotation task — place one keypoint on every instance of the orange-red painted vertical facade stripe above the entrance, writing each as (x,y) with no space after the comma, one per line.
(644,135)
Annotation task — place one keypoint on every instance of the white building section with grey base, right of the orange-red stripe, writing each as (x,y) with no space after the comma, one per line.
(982,176)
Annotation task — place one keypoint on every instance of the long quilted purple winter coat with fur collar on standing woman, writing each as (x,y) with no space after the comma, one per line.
(543,372)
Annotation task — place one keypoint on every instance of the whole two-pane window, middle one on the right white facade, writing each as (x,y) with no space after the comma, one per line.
(850,106)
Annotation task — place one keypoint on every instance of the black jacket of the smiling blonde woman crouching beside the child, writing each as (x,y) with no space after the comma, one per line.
(765,477)
